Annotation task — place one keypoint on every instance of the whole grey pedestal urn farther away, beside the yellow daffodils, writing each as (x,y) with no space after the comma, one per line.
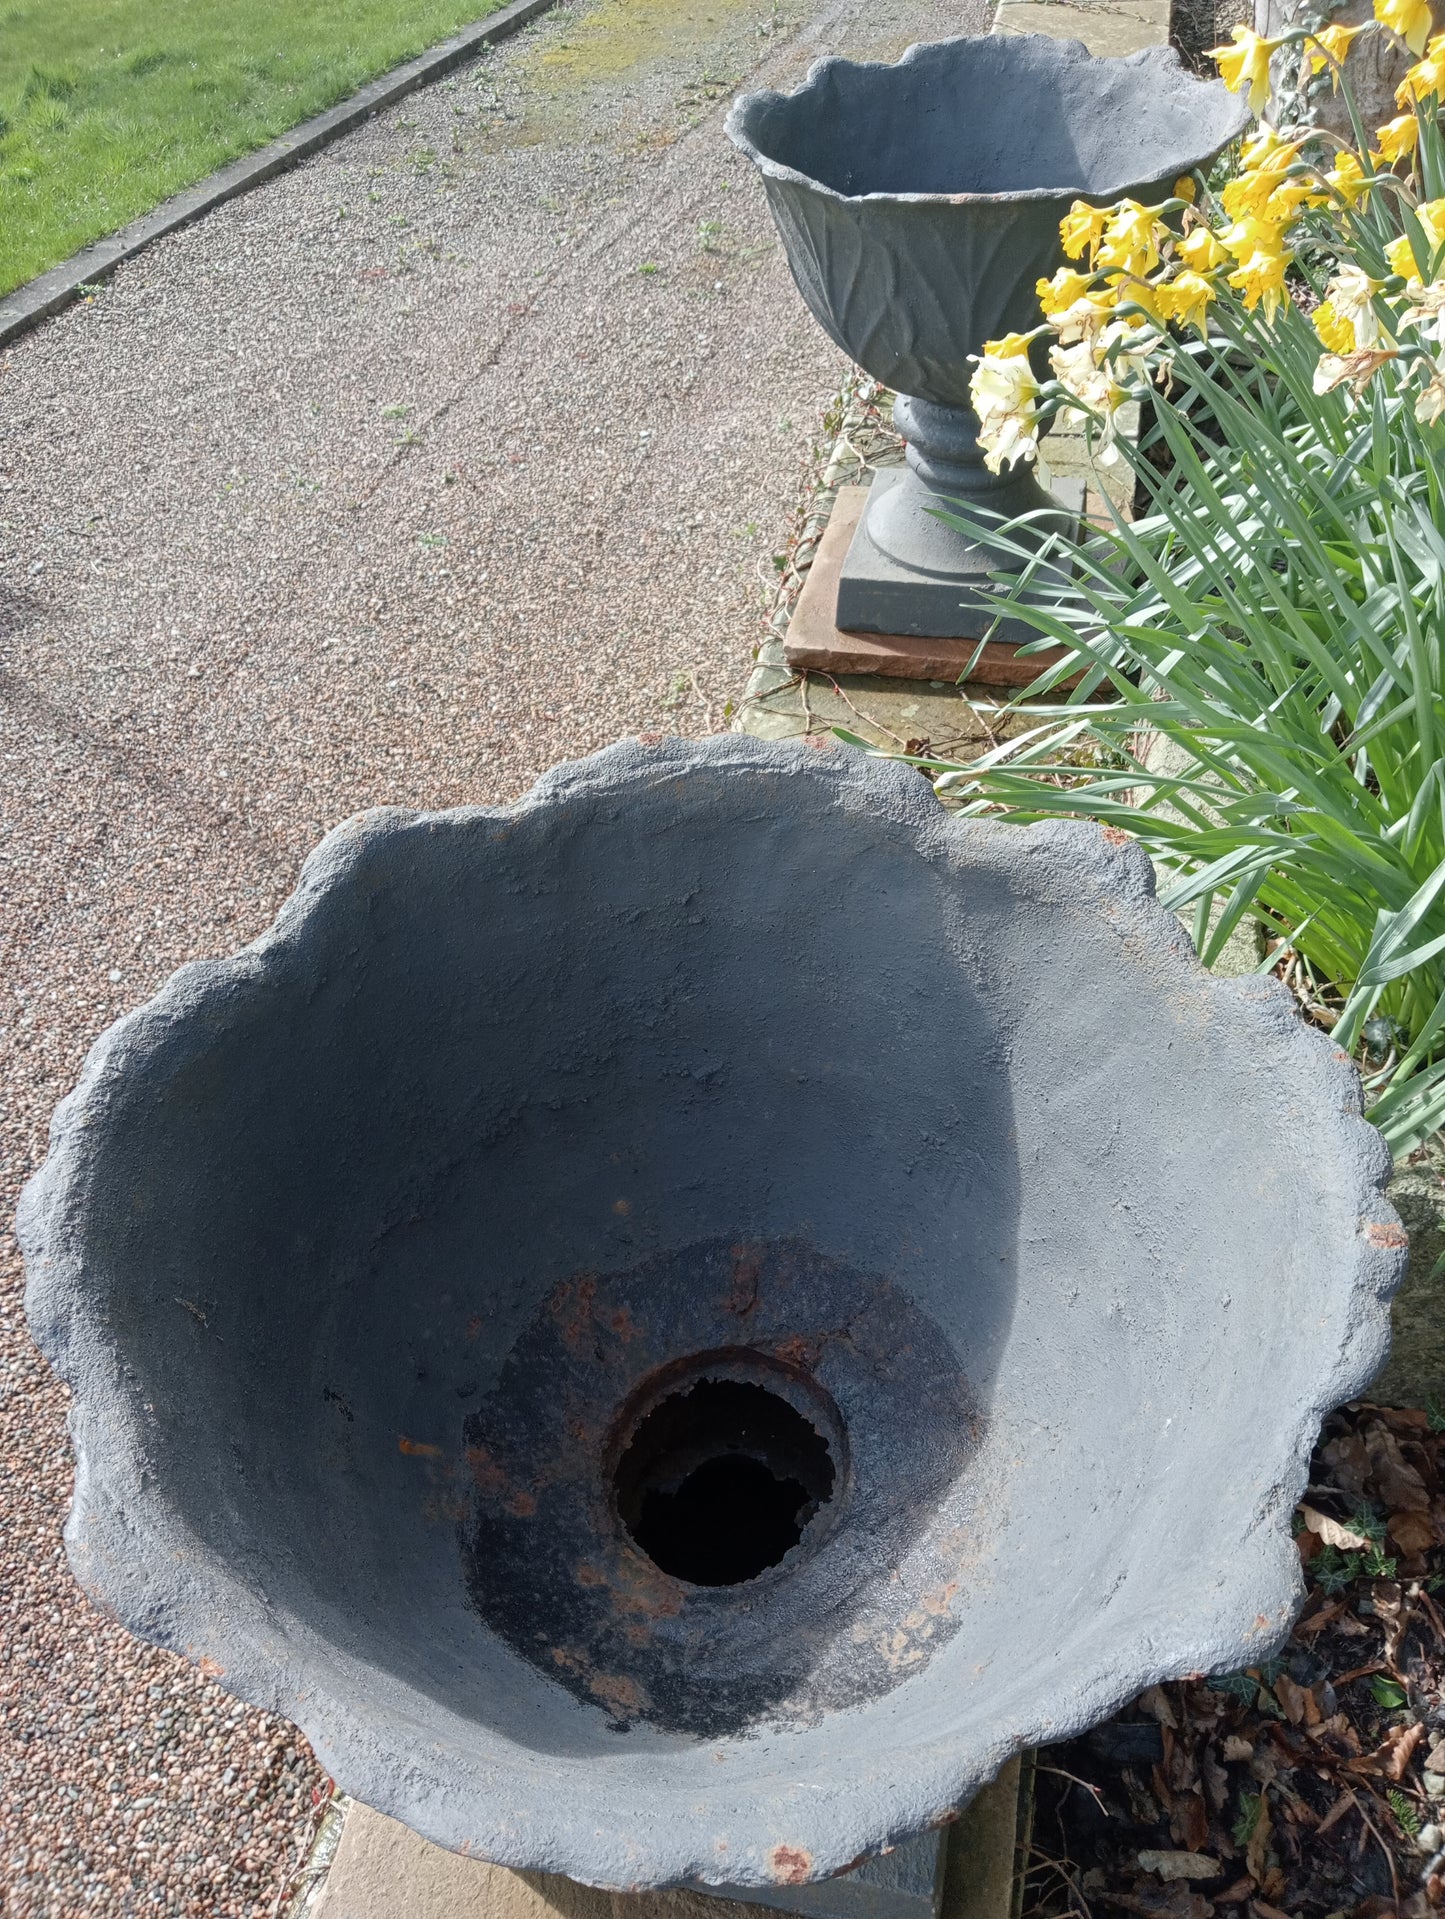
(920,204)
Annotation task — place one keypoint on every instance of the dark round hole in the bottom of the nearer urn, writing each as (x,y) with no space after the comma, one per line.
(721,1481)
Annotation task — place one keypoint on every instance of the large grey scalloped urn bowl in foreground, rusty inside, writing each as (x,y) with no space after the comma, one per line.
(371,1250)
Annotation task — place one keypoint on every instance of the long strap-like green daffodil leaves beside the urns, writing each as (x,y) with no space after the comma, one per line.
(1277,615)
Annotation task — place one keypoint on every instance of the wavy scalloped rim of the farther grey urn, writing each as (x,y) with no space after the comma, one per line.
(1158,62)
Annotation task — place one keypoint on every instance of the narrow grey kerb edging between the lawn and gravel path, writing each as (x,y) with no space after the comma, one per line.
(53,291)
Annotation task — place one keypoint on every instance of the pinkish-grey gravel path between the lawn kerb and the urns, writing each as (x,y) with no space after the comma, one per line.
(454,454)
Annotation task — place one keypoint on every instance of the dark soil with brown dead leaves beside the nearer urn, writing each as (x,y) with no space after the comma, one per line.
(1312,1784)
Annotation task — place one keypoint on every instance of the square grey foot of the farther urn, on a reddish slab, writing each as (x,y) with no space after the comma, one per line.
(882,594)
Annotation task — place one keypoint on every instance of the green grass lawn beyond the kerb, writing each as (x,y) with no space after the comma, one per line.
(107,107)
